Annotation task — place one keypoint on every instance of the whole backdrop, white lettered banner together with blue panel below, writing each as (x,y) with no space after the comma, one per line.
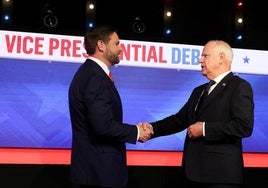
(154,81)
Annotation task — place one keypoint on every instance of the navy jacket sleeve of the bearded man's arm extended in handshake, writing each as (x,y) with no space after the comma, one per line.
(105,112)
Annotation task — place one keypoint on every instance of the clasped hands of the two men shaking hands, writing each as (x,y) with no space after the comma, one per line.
(145,130)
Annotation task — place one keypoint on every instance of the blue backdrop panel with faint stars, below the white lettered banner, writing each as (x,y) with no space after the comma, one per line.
(34,106)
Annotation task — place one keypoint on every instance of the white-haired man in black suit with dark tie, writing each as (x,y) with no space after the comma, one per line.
(212,156)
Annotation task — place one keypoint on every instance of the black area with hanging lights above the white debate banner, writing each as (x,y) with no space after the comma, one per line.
(194,22)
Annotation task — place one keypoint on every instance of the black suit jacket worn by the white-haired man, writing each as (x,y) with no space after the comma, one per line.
(229,116)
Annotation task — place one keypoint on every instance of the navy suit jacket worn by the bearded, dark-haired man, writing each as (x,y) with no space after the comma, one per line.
(98,147)
